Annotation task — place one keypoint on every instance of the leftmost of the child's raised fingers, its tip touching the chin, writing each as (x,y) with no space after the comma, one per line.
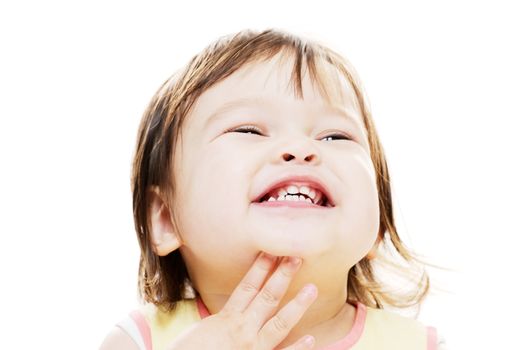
(251,283)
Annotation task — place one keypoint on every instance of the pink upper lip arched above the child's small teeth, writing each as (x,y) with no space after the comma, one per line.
(296,180)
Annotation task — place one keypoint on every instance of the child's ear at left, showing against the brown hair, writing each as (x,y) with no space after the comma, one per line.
(163,237)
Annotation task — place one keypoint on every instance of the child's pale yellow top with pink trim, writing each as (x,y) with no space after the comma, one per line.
(373,328)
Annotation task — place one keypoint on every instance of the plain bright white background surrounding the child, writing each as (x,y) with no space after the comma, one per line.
(446,81)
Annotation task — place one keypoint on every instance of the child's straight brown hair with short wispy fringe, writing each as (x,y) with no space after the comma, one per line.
(163,281)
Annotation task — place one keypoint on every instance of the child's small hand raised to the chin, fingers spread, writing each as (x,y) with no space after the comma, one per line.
(250,319)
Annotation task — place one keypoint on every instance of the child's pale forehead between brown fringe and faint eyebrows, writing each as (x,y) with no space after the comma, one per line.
(270,82)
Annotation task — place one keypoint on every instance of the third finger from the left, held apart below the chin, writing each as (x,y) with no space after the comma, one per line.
(279,326)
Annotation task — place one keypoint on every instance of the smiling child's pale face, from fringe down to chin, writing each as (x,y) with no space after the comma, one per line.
(249,133)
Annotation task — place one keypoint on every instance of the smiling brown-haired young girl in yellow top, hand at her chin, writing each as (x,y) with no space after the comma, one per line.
(262,206)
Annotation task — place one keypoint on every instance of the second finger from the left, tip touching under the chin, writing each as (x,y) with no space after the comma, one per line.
(267,300)
